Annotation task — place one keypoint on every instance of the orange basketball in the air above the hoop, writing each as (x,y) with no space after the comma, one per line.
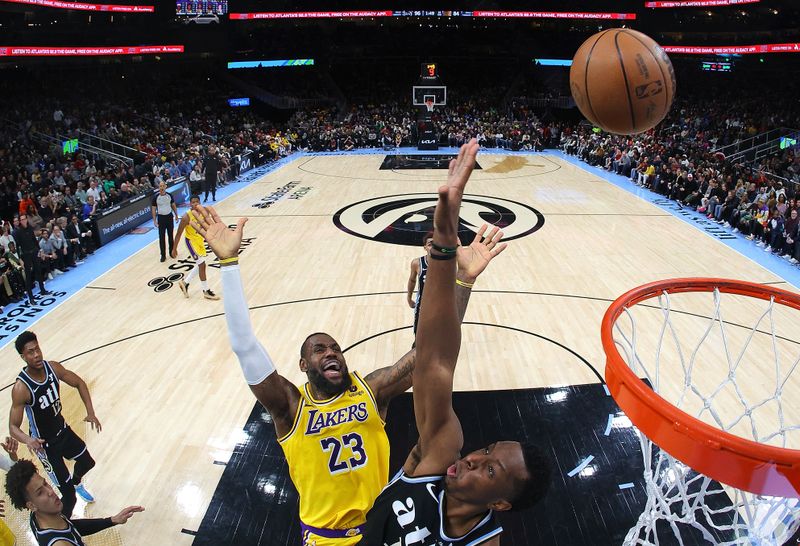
(622,81)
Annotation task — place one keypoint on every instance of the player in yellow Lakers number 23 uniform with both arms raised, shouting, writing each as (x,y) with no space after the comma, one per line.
(331,429)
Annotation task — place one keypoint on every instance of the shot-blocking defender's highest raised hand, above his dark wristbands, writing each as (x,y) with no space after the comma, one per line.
(445,218)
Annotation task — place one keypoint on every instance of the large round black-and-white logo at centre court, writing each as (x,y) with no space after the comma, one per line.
(404,219)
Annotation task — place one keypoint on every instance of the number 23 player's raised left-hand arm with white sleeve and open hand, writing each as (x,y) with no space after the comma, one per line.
(276,394)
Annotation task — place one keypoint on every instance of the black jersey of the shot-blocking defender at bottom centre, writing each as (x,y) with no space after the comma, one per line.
(408,512)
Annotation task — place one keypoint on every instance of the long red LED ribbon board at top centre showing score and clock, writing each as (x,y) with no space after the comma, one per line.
(431,13)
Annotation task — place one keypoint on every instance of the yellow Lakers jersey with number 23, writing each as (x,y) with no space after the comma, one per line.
(338,455)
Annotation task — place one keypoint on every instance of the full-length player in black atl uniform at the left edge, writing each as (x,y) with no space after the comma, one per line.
(37,392)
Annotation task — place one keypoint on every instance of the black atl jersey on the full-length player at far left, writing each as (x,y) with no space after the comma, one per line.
(44,411)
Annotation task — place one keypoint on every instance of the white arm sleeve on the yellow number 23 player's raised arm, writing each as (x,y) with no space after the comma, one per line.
(253,358)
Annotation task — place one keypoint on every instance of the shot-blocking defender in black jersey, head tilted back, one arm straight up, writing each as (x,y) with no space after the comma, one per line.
(440,498)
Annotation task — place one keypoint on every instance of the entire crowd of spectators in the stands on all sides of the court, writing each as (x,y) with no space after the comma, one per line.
(59,194)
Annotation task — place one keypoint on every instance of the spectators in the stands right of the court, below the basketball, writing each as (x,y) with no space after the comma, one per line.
(677,160)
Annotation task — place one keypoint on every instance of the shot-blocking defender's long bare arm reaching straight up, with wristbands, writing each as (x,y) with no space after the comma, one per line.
(439,331)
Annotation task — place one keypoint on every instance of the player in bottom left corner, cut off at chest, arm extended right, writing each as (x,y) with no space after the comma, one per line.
(28,490)
